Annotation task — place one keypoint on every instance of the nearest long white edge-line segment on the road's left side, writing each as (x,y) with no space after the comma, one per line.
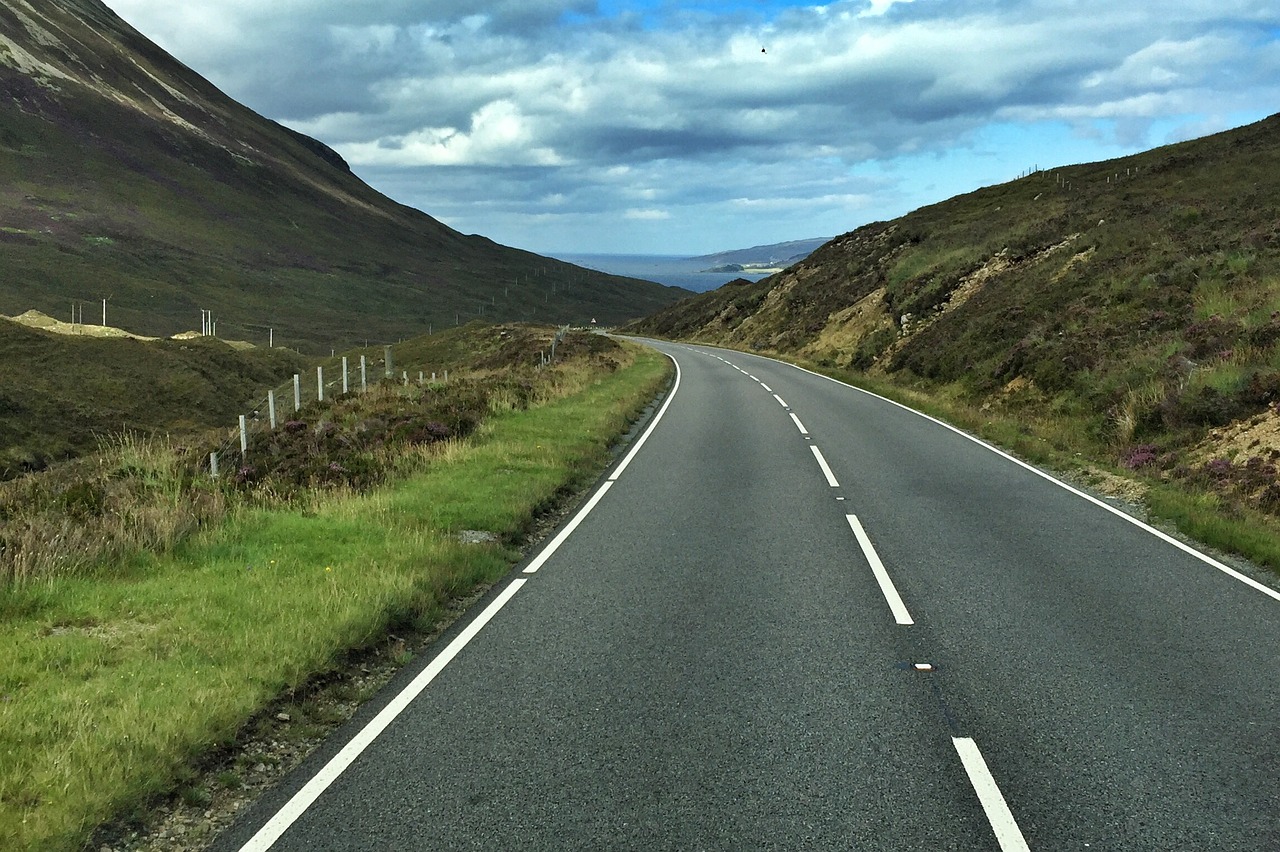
(330,773)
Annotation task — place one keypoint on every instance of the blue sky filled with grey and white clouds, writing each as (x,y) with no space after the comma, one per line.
(668,127)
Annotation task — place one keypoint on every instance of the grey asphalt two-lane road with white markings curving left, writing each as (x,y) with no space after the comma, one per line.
(801,617)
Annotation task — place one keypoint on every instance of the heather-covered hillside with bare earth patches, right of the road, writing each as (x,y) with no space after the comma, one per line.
(1135,303)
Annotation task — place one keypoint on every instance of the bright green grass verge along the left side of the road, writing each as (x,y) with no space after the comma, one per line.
(112,688)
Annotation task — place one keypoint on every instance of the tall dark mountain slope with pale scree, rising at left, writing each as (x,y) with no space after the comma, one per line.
(125,176)
